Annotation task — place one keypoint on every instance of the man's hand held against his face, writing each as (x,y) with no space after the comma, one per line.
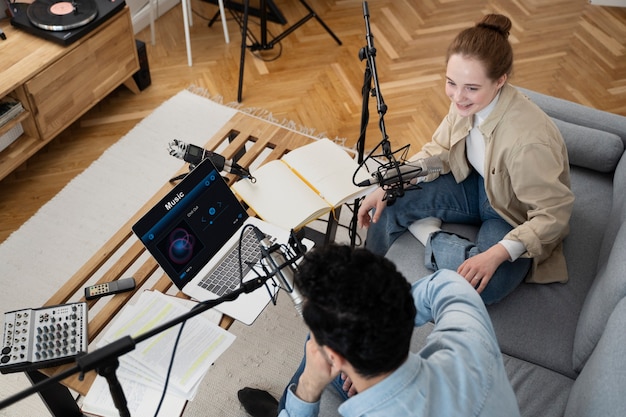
(319,371)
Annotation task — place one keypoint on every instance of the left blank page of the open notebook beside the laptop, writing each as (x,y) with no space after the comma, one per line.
(280,197)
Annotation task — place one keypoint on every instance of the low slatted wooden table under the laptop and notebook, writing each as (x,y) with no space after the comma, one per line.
(248,139)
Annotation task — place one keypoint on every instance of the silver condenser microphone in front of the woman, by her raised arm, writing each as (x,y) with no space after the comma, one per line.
(401,173)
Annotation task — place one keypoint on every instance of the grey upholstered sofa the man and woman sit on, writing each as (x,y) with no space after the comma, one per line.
(564,345)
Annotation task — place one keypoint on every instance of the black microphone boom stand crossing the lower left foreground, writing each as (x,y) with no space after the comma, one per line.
(105,360)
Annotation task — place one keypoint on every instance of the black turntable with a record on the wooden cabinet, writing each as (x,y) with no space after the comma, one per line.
(63,21)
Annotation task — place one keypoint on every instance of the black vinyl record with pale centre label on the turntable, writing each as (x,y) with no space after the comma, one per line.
(60,15)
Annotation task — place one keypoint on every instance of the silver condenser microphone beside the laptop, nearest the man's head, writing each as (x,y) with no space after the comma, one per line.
(280,267)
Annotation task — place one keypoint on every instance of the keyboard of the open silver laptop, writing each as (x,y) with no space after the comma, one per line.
(226,277)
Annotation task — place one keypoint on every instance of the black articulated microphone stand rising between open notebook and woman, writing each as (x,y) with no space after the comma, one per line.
(368,54)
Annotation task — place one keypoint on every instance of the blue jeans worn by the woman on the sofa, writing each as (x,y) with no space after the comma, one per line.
(464,203)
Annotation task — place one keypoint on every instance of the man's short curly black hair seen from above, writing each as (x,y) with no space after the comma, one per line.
(358,304)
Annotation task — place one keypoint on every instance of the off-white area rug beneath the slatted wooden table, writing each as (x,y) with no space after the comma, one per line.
(62,236)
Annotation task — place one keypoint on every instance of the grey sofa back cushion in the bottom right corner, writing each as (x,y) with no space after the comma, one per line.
(599,390)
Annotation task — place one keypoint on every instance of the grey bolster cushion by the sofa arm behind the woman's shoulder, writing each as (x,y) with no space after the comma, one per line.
(591,148)
